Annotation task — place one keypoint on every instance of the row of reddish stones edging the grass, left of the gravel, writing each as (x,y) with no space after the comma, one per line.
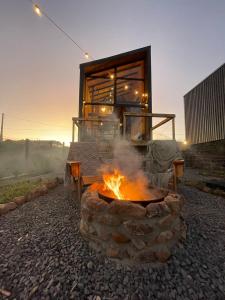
(38,191)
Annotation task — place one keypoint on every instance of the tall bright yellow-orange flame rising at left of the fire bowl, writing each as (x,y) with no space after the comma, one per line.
(113,182)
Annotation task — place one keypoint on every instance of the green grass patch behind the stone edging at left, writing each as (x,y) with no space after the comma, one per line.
(8,192)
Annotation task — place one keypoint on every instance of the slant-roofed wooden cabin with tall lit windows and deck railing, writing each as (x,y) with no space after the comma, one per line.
(116,98)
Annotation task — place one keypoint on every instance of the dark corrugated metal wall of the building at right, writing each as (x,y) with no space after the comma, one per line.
(204,108)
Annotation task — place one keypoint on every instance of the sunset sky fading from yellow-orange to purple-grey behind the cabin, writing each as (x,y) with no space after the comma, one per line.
(39,66)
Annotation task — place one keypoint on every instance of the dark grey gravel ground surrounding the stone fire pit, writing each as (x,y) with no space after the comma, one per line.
(43,256)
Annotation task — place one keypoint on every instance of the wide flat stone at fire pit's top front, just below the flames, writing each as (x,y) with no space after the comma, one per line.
(126,208)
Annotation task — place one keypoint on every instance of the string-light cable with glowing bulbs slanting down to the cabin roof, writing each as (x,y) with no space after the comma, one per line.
(50,19)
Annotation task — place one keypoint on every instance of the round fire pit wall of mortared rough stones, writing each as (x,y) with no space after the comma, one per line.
(129,231)
